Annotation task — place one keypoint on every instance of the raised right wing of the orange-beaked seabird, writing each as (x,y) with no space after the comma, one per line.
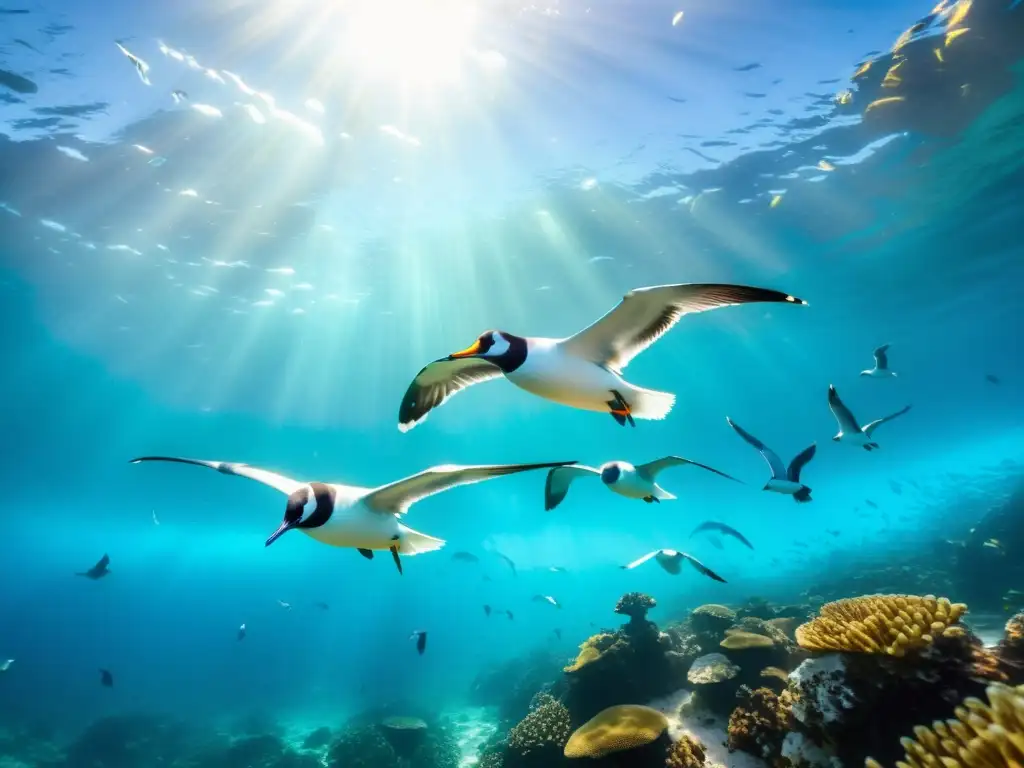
(646,315)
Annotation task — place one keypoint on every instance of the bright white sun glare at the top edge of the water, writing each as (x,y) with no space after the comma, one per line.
(424,41)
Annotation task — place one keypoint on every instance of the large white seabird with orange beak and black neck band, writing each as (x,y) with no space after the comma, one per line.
(583,371)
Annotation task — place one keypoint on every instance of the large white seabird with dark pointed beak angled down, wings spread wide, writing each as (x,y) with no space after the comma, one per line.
(366,520)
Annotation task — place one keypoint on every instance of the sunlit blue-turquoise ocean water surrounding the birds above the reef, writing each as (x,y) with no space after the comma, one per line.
(246,251)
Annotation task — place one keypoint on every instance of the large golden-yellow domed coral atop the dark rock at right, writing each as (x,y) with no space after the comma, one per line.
(881,624)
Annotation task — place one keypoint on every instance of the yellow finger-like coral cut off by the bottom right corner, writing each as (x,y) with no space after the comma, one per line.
(982,736)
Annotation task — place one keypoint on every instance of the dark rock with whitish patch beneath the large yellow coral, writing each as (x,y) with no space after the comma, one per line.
(863,704)
